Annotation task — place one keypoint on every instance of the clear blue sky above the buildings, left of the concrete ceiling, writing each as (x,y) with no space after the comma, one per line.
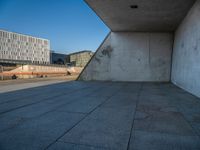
(70,25)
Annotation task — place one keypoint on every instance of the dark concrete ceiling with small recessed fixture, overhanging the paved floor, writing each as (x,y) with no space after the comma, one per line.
(151,15)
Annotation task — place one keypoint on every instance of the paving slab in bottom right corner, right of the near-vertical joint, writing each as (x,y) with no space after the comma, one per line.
(161,141)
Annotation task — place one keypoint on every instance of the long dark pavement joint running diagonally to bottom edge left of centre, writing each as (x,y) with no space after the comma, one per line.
(107,99)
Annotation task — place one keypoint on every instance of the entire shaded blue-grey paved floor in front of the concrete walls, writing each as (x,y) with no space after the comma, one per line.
(100,116)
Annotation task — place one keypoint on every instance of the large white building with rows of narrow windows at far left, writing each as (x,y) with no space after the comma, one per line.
(18,47)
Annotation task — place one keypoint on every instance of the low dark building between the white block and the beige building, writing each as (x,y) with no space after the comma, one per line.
(57,58)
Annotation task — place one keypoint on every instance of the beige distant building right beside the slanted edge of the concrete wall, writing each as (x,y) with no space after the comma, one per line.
(80,59)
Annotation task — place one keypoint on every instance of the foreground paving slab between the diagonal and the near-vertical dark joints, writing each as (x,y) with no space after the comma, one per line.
(106,127)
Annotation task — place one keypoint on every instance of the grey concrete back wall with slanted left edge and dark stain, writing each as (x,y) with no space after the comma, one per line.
(132,56)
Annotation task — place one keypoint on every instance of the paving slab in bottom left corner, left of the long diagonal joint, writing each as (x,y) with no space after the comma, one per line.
(39,132)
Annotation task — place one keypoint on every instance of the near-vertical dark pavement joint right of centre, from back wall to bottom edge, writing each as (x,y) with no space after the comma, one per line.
(138,98)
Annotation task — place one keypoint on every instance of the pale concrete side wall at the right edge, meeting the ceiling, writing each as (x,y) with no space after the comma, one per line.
(186,53)
